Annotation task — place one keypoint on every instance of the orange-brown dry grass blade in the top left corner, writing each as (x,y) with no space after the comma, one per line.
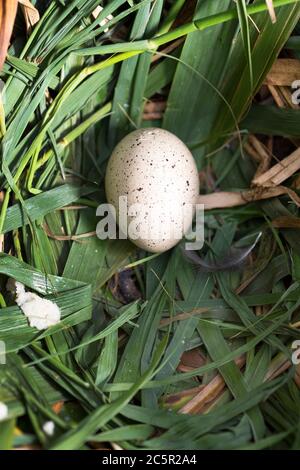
(8,10)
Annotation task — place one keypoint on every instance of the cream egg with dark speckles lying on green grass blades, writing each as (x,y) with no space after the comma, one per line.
(156,177)
